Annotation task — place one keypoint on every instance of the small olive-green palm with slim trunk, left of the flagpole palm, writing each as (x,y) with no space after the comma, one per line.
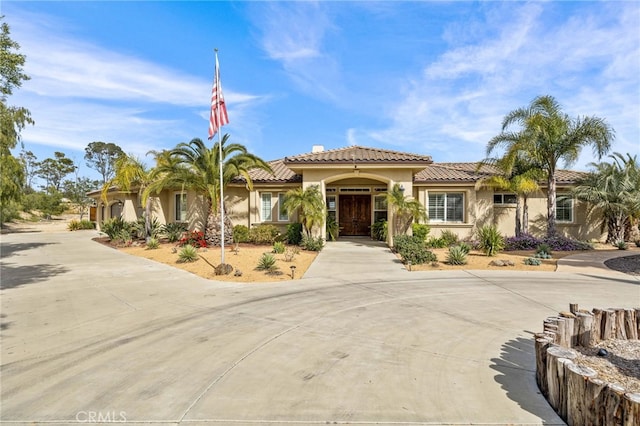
(132,173)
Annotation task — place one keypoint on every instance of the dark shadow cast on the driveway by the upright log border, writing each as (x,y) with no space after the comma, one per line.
(516,369)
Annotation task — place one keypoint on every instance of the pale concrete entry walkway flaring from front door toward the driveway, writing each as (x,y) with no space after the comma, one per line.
(355,256)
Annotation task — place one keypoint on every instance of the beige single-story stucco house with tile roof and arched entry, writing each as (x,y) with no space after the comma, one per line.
(354,181)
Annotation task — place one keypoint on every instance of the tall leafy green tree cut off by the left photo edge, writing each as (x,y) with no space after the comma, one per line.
(12,120)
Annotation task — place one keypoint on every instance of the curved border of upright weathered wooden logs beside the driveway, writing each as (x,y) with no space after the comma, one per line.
(575,392)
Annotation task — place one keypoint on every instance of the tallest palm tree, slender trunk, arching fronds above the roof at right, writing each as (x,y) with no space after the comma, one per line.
(547,136)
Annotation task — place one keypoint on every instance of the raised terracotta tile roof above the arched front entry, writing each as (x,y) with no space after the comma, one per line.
(358,154)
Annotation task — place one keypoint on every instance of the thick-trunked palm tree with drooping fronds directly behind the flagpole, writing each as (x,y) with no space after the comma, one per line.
(195,166)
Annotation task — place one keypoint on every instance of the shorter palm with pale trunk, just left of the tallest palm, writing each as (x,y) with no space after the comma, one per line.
(518,176)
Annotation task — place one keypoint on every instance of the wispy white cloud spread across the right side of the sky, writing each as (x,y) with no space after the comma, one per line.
(589,63)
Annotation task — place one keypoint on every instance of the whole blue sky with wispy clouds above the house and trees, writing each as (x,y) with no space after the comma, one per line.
(431,78)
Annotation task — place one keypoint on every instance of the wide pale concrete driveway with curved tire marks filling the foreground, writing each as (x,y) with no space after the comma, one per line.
(90,334)
